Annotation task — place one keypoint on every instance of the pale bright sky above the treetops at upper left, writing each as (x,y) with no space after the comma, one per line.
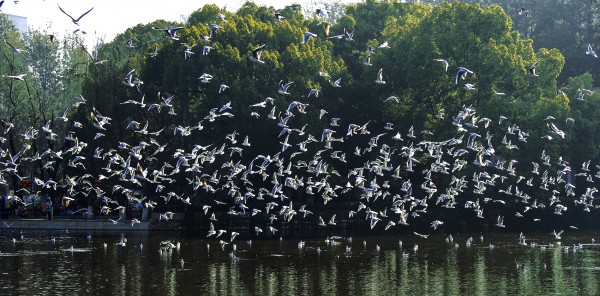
(111,17)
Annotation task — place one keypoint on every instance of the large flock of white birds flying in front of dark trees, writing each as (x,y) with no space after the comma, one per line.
(383,188)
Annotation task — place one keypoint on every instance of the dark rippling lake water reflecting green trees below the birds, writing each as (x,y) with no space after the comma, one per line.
(79,263)
